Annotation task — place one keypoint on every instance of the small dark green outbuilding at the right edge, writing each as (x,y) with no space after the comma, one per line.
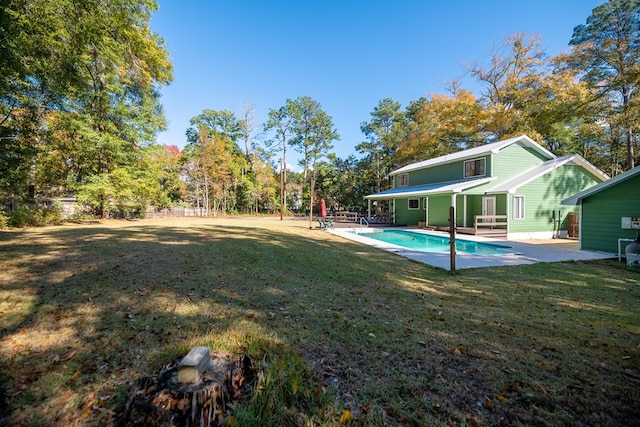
(609,213)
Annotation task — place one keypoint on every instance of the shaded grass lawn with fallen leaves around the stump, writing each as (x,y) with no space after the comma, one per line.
(336,326)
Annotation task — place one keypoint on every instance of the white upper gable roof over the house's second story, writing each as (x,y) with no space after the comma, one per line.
(494,147)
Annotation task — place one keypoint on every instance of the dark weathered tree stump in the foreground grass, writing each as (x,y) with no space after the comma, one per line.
(160,400)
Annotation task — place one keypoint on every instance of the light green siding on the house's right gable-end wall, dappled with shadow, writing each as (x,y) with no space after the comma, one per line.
(542,197)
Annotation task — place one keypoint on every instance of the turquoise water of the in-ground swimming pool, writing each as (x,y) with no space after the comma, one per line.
(430,243)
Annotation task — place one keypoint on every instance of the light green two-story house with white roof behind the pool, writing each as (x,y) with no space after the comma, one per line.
(512,187)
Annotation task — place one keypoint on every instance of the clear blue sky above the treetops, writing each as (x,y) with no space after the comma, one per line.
(347,55)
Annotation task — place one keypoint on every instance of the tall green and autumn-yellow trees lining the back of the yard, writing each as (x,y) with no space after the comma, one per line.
(80,111)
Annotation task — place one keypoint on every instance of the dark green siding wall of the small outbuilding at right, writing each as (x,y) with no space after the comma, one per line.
(601,213)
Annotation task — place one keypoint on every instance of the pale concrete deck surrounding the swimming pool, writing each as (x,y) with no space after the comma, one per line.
(527,251)
